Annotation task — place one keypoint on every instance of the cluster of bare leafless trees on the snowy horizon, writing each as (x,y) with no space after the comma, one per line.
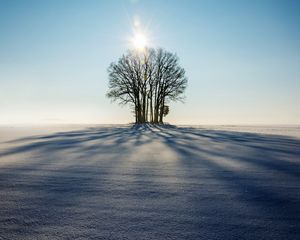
(147,80)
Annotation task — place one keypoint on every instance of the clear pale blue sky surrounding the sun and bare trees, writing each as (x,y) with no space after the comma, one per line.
(242,59)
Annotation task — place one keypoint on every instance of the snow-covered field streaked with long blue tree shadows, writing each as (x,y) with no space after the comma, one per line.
(150,182)
